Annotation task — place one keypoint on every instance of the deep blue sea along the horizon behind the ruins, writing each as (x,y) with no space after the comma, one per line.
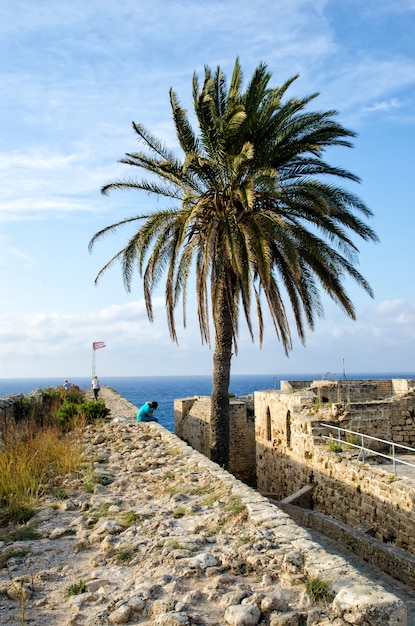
(165,389)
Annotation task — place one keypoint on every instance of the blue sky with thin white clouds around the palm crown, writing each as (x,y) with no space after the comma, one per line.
(76,74)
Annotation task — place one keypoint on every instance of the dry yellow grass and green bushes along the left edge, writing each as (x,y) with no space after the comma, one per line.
(34,451)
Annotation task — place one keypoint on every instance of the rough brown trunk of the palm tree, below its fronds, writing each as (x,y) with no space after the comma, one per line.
(219,418)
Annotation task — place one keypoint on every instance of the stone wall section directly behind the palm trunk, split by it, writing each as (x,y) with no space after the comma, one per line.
(192,424)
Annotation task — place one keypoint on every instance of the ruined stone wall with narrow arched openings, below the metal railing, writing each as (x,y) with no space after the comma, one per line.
(288,457)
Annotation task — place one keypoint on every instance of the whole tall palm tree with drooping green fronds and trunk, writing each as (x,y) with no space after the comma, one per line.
(254,218)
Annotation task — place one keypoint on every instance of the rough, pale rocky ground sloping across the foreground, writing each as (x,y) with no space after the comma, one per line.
(151,533)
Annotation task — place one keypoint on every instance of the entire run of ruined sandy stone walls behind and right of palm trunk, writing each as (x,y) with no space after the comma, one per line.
(290,454)
